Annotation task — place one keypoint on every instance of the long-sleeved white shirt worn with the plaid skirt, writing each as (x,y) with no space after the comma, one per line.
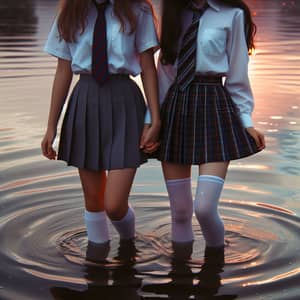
(221,51)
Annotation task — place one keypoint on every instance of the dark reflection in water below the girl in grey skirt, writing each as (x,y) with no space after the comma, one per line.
(119,282)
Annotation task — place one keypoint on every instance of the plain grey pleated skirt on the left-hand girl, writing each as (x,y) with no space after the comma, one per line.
(103,125)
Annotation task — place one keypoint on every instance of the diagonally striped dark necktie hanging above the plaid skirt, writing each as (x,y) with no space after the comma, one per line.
(186,65)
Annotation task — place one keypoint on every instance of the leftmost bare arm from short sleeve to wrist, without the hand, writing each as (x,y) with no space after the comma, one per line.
(60,89)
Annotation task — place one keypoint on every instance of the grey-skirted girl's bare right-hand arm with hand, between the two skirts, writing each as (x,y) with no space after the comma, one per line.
(149,78)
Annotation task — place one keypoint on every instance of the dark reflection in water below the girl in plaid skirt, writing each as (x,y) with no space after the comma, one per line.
(184,283)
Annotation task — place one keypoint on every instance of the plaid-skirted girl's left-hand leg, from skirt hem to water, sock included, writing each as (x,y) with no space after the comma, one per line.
(178,182)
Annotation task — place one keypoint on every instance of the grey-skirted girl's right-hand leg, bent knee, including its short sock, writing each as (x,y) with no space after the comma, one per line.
(118,187)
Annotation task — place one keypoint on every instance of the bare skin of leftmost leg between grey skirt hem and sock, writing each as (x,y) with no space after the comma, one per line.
(93,185)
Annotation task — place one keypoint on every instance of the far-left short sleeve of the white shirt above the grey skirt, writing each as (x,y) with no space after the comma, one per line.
(55,45)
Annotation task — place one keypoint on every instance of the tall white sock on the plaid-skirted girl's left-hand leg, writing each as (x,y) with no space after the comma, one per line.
(181,202)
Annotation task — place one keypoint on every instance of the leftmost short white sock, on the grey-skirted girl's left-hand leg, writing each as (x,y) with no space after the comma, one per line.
(96,225)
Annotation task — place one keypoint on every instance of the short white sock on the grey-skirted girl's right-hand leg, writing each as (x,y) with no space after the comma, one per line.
(126,226)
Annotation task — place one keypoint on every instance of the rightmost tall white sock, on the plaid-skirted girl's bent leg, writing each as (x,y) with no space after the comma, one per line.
(208,192)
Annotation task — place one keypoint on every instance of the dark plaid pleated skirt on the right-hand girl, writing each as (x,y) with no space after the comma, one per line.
(201,125)
